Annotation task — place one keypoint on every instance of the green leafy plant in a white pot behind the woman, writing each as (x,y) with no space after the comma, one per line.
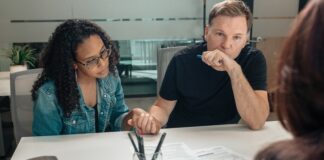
(21,57)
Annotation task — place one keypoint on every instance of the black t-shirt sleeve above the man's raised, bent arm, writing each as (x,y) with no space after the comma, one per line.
(256,72)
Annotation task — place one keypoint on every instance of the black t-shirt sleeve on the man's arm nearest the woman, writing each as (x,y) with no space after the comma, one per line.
(168,88)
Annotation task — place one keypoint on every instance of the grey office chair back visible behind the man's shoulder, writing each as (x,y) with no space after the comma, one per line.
(164,56)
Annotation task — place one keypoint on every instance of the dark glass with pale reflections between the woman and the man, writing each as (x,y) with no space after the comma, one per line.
(138,62)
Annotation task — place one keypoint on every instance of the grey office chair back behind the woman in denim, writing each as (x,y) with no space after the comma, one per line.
(21,103)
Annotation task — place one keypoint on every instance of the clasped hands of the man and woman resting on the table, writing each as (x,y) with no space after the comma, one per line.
(144,122)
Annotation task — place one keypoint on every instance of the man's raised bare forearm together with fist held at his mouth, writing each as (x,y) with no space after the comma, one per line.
(252,105)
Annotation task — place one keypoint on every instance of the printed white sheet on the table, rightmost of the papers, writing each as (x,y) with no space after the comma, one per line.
(218,153)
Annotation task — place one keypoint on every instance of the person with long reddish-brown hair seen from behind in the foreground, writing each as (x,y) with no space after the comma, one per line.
(300,95)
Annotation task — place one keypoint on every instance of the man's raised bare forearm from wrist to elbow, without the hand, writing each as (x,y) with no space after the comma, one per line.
(253,108)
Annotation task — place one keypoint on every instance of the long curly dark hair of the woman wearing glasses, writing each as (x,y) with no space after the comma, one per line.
(59,56)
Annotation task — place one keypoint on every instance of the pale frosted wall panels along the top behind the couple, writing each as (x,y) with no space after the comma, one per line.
(272,17)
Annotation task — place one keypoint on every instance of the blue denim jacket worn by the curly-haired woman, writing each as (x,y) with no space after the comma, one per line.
(49,118)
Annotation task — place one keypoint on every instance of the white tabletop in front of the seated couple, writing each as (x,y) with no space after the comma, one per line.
(117,146)
